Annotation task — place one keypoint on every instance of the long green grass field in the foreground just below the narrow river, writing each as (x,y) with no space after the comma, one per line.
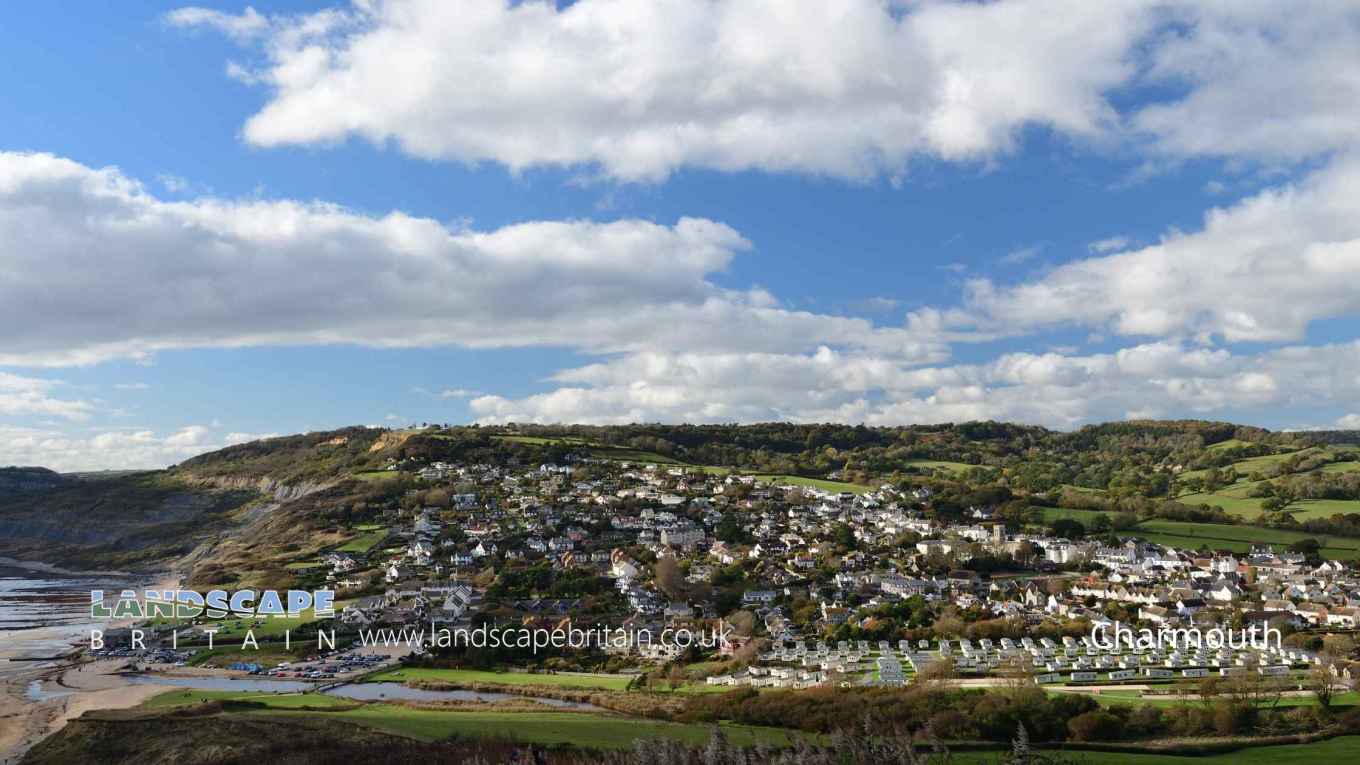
(580,729)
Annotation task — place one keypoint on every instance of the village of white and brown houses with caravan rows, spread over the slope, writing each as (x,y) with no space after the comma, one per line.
(807,581)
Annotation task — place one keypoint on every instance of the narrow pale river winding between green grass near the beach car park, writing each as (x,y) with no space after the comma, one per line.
(358,692)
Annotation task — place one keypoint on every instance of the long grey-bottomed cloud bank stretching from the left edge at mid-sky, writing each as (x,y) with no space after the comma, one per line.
(126,274)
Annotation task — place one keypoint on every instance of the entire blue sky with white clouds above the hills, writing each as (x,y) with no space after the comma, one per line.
(220,223)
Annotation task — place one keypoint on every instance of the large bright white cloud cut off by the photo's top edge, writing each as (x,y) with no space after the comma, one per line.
(844,88)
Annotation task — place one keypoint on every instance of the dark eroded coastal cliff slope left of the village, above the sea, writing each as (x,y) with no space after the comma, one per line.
(239,512)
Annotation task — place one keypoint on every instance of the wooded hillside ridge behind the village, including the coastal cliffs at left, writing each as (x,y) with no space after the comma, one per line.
(244,512)
